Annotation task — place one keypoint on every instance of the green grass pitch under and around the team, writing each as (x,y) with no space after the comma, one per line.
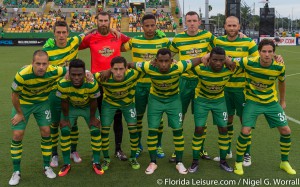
(265,141)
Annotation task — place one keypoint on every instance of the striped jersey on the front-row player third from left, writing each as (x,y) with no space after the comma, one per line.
(119,93)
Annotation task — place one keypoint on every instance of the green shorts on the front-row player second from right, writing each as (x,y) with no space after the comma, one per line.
(217,107)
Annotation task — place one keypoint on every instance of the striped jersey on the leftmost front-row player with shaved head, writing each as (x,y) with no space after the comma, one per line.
(34,89)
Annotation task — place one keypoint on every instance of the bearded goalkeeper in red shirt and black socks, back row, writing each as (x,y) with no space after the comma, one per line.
(104,47)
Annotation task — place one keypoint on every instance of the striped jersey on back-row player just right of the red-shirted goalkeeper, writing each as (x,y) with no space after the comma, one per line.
(143,49)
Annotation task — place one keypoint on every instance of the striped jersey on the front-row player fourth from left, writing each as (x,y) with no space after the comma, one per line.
(164,85)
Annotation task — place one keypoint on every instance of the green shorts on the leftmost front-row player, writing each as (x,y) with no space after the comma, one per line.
(41,112)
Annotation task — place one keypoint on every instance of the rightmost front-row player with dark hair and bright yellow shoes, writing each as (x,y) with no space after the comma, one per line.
(261,98)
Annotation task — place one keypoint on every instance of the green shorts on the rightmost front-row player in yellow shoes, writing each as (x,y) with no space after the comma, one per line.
(273,113)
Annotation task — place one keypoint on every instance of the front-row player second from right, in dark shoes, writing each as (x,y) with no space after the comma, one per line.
(210,97)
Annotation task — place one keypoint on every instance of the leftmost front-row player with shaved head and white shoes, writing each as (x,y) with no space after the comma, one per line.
(30,90)
